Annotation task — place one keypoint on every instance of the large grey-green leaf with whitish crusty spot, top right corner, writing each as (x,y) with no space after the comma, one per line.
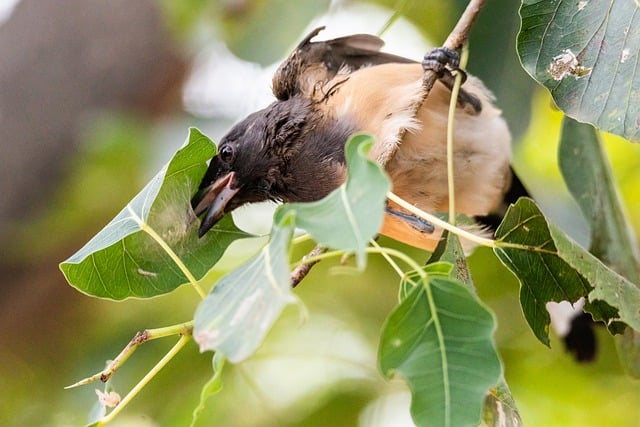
(586,54)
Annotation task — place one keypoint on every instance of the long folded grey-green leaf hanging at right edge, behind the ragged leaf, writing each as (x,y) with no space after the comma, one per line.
(586,170)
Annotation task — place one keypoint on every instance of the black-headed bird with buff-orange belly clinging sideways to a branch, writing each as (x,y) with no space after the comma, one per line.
(325,91)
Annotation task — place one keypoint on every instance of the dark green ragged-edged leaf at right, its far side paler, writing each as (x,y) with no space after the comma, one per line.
(552,267)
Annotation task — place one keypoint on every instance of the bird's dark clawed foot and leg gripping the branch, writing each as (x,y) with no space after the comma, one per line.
(442,61)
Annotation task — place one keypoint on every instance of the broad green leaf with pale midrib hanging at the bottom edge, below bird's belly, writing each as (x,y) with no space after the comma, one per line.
(440,339)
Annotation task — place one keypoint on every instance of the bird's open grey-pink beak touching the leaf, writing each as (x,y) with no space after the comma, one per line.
(214,201)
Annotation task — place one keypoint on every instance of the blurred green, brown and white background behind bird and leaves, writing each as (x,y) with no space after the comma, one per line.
(96,95)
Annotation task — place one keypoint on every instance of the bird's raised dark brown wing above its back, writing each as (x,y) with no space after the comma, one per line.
(312,64)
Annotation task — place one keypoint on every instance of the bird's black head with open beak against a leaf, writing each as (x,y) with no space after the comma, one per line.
(252,161)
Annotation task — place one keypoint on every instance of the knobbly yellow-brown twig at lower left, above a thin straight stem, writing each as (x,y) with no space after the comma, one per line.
(140,338)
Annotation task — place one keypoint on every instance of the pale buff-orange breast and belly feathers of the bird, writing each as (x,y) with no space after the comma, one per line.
(386,101)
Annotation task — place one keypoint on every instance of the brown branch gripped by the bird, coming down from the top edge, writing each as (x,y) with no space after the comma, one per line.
(456,39)
